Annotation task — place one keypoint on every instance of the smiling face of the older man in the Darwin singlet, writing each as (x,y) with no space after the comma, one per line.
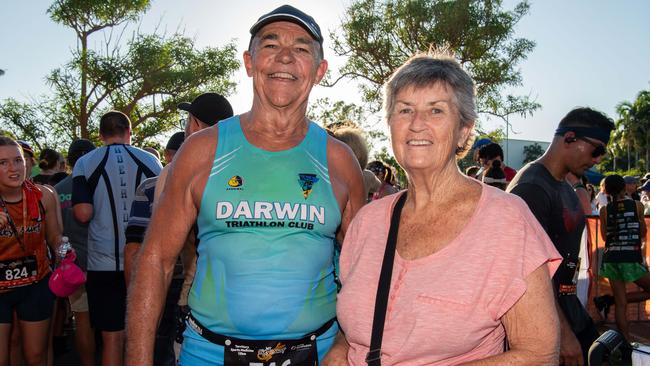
(283,63)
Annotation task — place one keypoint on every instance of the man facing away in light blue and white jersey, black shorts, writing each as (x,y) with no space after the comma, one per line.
(104,182)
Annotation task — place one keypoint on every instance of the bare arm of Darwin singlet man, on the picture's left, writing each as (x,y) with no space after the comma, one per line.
(171,221)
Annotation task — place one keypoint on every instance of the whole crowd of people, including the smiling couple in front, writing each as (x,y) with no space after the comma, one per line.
(268,240)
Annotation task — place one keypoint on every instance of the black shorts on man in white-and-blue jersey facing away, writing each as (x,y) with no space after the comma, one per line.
(106,300)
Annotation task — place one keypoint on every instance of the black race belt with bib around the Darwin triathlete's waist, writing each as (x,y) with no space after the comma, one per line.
(256,352)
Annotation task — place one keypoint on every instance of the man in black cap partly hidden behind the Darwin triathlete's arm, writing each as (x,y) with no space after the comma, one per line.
(212,108)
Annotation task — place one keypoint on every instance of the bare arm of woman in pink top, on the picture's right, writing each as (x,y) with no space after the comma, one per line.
(532,326)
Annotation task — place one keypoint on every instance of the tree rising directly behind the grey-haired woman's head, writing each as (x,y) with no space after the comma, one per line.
(379,36)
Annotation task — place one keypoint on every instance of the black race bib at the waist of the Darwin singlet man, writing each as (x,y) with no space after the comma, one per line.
(239,352)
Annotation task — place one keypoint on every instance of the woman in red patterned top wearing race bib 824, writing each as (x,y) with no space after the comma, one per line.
(29,220)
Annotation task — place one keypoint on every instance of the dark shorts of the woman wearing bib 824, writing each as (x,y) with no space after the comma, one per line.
(33,303)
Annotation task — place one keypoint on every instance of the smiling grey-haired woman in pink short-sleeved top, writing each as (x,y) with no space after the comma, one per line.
(472,265)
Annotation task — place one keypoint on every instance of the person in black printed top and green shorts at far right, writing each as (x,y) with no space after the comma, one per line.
(623,226)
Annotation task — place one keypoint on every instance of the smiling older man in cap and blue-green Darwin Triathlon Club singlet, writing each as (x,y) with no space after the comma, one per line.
(269,191)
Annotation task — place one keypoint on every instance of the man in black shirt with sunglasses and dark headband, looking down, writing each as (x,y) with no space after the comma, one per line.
(579,143)
